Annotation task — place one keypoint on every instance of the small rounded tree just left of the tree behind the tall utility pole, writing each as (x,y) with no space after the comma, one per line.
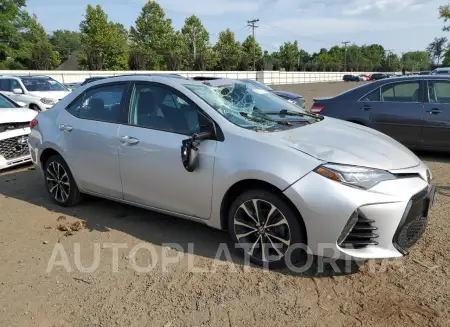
(228,50)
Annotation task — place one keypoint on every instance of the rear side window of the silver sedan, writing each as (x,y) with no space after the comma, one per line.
(102,103)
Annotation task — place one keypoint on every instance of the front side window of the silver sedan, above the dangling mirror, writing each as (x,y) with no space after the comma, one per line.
(162,108)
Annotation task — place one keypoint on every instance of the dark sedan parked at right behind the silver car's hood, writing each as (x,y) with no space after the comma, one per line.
(414,110)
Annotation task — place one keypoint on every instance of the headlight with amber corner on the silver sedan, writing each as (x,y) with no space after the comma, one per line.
(361,177)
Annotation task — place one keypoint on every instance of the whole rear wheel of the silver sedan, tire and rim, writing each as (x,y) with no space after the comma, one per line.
(60,183)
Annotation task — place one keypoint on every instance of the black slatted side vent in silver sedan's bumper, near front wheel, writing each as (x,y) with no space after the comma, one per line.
(362,234)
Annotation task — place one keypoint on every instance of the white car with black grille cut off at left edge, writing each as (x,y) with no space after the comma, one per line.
(14,131)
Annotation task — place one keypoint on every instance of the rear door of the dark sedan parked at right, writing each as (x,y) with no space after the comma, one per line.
(399,111)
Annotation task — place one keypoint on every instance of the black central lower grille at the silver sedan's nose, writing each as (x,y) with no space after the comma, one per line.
(414,222)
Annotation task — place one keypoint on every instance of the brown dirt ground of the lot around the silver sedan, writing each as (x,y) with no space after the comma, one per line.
(411,291)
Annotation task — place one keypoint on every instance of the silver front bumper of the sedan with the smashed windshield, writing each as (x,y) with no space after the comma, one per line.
(397,210)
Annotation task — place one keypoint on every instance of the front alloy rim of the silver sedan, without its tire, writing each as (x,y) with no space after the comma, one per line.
(262,230)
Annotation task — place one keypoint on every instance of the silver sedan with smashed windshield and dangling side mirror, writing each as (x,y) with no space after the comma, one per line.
(236,158)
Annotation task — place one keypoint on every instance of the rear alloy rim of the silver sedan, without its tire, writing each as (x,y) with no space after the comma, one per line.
(58,182)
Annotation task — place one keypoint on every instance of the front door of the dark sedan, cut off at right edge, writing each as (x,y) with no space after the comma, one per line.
(436,130)
